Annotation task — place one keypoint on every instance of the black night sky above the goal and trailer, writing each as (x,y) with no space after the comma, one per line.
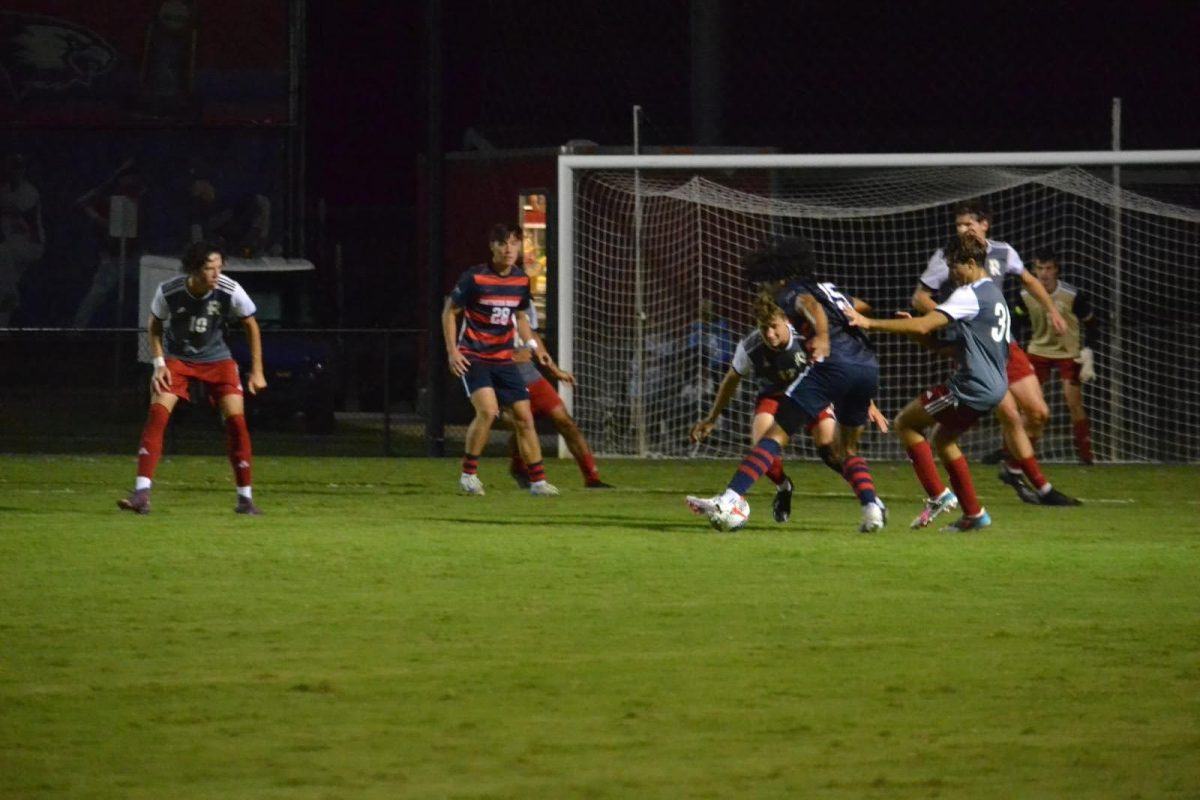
(803,77)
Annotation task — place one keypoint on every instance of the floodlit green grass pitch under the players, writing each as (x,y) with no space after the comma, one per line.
(379,636)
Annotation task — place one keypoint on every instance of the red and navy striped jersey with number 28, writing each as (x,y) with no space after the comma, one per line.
(490,302)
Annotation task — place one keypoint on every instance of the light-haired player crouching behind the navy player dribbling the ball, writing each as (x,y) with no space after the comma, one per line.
(775,354)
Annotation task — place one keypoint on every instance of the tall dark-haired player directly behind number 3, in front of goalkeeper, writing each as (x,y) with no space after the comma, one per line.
(1024,398)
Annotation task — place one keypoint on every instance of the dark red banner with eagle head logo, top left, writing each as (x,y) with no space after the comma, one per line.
(145,63)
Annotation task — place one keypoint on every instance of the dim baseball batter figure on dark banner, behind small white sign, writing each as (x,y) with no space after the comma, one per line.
(113,208)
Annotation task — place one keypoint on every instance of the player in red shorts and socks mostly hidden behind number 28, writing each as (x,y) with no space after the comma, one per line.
(545,402)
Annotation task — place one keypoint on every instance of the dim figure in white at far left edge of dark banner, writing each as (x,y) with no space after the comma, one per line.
(22,237)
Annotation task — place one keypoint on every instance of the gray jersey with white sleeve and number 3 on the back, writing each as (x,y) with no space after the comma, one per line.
(981,322)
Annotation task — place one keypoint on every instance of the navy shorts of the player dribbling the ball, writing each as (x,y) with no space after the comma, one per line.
(849,387)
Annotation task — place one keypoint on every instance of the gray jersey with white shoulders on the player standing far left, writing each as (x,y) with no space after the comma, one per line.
(195,327)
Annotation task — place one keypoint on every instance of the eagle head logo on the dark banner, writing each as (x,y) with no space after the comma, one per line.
(50,55)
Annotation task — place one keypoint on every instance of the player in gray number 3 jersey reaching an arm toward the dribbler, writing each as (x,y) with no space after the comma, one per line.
(981,321)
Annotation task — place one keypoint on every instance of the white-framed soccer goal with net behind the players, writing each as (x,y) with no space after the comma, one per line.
(652,300)
